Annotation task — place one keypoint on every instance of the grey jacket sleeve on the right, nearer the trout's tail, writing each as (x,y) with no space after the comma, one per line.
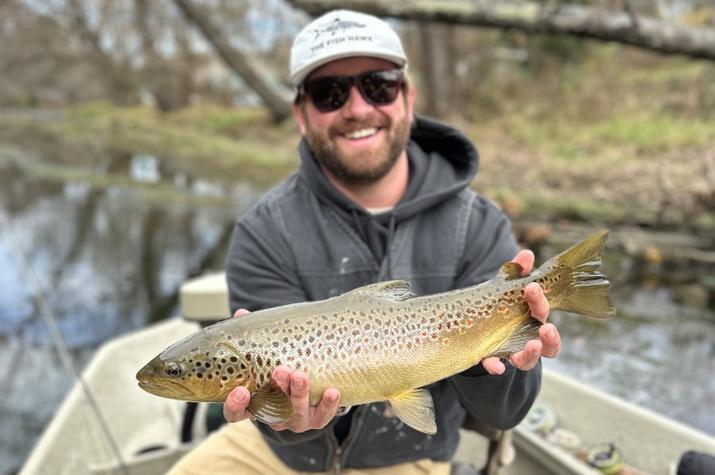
(503,400)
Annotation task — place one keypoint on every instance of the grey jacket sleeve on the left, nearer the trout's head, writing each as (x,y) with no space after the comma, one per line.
(261,274)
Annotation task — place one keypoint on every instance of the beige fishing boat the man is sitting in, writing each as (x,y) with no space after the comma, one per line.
(107,425)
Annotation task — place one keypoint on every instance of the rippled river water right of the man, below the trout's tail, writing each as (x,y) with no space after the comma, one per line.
(658,353)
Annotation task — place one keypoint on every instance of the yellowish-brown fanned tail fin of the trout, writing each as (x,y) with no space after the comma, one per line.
(581,288)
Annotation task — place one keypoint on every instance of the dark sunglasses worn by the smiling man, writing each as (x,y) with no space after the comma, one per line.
(330,93)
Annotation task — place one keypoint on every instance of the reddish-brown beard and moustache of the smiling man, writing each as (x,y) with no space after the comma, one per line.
(344,168)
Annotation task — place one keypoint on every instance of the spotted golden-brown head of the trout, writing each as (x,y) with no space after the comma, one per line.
(200,368)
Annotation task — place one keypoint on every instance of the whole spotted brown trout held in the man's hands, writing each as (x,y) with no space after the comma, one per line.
(379,342)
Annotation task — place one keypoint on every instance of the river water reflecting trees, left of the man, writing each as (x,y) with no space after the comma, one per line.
(110,255)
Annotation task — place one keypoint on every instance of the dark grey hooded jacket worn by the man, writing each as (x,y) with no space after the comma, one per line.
(304,240)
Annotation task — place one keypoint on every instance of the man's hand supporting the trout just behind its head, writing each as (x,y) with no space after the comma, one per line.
(296,385)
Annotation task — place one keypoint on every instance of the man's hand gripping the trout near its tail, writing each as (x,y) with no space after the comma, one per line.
(549,342)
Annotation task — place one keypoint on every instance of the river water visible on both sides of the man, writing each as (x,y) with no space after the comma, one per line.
(110,243)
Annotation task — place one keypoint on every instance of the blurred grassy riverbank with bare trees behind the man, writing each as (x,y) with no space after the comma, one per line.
(627,134)
